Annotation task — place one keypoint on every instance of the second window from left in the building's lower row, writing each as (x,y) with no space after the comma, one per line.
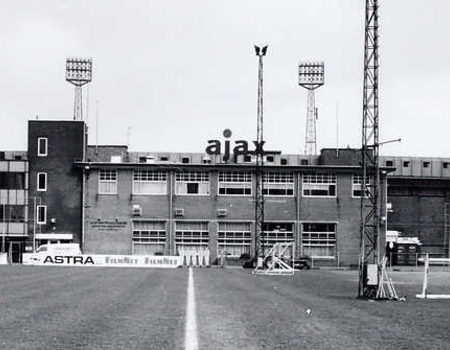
(191,235)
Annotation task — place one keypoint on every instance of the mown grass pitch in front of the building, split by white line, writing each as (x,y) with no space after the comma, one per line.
(122,308)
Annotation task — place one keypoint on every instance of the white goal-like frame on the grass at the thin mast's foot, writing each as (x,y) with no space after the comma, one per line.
(273,264)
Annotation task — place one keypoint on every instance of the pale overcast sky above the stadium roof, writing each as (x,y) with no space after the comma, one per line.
(176,73)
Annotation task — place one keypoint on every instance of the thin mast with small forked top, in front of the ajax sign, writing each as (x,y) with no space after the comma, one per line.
(259,174)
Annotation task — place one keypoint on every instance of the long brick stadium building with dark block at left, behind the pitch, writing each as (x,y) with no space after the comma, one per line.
(113,201)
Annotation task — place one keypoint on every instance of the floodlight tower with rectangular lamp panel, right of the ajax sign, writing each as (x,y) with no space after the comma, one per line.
(311,76)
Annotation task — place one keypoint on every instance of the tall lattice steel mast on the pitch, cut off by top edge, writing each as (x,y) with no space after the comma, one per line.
(370,249)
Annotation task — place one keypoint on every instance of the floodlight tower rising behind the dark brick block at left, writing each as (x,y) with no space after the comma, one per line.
(78,73)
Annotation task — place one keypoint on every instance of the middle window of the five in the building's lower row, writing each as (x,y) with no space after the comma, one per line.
(234,238)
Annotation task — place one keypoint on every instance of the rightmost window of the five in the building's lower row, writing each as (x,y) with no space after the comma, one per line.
(319,239)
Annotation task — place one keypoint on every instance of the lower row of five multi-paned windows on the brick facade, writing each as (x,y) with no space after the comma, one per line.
(234,238)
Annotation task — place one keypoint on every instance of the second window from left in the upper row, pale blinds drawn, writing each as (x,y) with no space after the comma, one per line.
(149,182)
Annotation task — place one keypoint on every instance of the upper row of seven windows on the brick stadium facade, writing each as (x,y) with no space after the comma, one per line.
(231,183)
